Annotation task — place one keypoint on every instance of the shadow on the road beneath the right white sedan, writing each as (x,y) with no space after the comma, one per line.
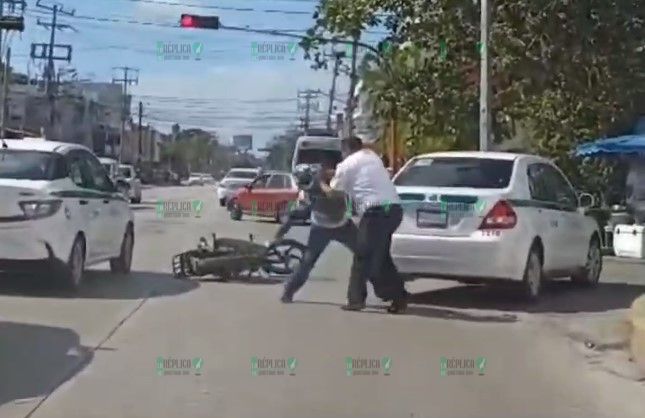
(557,297)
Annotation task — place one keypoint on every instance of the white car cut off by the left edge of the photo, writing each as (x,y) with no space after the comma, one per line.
(60,210)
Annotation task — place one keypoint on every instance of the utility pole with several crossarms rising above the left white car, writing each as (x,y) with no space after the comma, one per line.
(47,51)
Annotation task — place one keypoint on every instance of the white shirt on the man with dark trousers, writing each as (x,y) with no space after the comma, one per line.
(364,178)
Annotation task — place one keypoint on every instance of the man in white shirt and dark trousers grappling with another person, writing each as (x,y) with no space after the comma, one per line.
(365,179)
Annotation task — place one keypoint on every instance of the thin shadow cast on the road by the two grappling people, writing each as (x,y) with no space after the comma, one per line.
(427,312)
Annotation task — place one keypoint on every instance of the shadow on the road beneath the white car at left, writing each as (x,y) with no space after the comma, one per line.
(98,285)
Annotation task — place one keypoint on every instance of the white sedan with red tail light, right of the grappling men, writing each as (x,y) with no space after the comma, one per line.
(479,216)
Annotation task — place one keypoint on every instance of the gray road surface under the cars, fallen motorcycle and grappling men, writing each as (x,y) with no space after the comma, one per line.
(94,354)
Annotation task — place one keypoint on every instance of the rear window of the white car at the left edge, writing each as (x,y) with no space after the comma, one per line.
(31,165)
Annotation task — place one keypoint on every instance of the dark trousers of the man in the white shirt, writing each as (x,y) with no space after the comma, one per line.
(372,259)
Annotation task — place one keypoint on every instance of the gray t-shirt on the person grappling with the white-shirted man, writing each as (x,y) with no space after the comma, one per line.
(327,212)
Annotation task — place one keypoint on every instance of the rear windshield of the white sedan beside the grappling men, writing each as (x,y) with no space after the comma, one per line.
(477,173)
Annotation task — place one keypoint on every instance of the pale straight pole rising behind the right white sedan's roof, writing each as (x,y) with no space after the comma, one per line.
(484,86)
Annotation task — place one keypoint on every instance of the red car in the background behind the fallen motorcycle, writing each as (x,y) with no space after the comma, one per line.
(269,195)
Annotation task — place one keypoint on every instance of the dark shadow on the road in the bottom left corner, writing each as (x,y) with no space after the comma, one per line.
(35,359)
